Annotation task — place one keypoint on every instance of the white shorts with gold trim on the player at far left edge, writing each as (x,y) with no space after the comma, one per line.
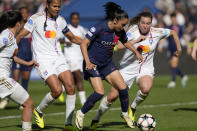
(9,87)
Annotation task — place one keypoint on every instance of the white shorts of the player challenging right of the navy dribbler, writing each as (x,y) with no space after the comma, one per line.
(129,74)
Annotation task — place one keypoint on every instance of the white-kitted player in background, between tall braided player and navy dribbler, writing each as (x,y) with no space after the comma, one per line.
(74,56)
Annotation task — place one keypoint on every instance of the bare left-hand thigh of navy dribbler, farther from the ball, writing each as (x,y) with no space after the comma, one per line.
(97,84)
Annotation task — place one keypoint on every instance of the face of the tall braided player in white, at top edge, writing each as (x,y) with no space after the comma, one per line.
(54,8)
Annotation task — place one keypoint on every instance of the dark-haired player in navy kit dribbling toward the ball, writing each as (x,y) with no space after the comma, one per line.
(97,49)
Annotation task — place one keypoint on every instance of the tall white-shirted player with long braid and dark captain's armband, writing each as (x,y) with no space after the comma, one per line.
(46,28)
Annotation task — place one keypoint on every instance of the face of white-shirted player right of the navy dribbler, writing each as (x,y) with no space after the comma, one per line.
(144,24)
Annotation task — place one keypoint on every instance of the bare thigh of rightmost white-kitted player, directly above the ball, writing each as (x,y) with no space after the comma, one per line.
(145,83)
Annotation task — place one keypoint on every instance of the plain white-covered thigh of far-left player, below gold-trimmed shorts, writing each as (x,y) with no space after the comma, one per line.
(20,95)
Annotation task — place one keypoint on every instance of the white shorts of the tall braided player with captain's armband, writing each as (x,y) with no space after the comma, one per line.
(50,67)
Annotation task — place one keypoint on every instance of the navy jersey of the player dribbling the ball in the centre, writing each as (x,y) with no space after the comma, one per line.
(102,42)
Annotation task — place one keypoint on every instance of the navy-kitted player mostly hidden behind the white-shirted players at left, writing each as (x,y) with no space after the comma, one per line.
(24,52)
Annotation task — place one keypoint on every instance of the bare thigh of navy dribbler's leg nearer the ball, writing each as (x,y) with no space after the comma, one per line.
(116,80)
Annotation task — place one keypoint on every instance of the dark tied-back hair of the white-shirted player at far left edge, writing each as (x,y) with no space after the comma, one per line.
(9,19)
